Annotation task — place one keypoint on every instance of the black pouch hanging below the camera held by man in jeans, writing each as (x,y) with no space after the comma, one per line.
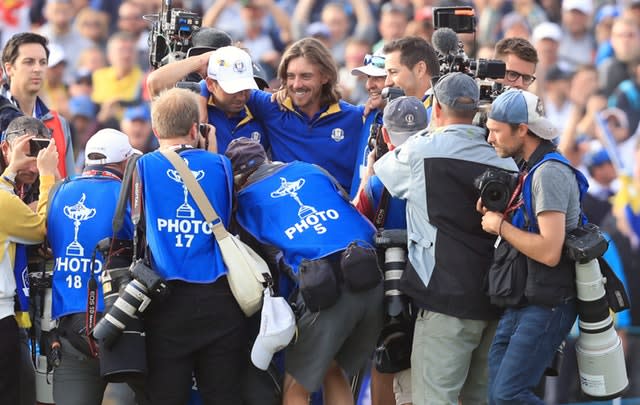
(507,276)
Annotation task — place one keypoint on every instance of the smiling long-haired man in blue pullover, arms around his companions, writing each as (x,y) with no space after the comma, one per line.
(316,126)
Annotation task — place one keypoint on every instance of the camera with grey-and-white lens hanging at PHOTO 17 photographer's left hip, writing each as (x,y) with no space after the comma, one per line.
(131,301)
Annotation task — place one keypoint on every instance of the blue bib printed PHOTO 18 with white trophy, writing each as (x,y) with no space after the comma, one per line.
(80,216)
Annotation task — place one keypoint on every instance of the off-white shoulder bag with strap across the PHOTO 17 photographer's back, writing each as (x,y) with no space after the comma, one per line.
(248,274)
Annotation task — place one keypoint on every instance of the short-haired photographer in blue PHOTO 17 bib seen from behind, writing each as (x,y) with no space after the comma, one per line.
(198,327)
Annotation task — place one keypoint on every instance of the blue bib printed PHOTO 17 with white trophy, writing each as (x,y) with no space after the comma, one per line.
(181,241)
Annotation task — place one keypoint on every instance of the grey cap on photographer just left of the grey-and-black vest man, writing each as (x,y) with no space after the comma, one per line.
(403,117)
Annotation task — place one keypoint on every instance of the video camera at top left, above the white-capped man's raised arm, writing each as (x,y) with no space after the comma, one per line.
(171,32)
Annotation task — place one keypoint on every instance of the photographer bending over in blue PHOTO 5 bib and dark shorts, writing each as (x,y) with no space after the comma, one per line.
(327,252)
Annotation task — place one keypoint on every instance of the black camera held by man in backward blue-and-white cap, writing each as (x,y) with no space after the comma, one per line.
(496,187)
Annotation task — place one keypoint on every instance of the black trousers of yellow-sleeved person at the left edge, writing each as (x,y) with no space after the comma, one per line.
(9,361)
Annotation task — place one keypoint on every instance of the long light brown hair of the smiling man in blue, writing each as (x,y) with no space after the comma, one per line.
(317,54)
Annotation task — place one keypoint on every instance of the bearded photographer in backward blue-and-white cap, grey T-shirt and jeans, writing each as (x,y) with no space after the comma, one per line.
(541,309)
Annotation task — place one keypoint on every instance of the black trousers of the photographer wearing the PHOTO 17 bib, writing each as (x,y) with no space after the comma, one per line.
(198,329)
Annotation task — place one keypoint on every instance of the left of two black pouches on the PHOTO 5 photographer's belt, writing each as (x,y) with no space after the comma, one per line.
(318,284)
